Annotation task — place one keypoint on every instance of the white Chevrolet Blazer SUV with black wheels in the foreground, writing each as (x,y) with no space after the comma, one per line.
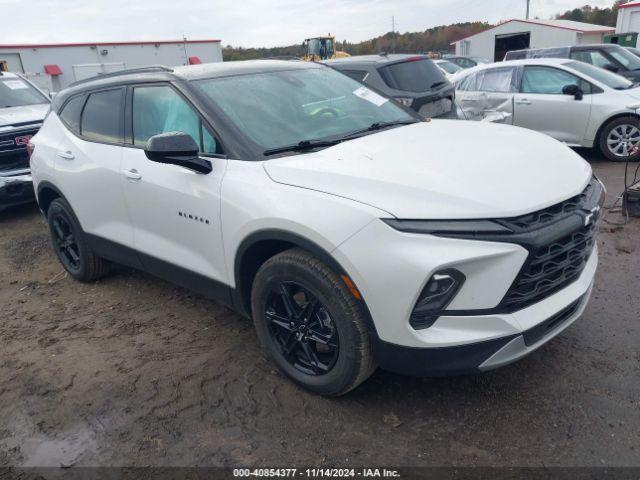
(353,233)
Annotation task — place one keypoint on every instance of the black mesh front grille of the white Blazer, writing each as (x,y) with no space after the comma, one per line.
(555,264)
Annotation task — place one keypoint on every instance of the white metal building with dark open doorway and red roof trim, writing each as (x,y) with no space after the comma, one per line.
(495,42)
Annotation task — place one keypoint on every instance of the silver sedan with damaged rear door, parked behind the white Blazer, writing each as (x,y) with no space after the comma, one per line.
(574,102)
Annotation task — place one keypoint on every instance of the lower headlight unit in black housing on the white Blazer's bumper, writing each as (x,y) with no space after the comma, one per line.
(439,291)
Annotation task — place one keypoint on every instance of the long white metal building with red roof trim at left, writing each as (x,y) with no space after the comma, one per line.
(55,66)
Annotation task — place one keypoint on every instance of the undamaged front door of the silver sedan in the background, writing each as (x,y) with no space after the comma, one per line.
(542,106)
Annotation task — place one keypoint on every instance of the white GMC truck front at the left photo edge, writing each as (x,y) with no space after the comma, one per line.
(22,109)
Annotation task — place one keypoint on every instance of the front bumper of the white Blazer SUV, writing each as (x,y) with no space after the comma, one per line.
(463,341)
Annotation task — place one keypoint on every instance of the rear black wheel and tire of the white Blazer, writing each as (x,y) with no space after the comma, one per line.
(70,244)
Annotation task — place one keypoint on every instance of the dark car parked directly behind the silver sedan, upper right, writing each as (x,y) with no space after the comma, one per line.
(609,56)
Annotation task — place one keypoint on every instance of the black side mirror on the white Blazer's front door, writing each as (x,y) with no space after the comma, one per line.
(177,148)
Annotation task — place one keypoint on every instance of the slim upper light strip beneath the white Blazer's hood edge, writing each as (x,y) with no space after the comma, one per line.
(447,227)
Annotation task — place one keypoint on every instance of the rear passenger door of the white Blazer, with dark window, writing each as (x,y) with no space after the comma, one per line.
(88,164)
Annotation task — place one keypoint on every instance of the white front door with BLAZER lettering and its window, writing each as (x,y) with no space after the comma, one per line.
(175,211)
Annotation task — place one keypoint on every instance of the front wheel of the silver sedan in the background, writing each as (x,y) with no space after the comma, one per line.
(617,129)
